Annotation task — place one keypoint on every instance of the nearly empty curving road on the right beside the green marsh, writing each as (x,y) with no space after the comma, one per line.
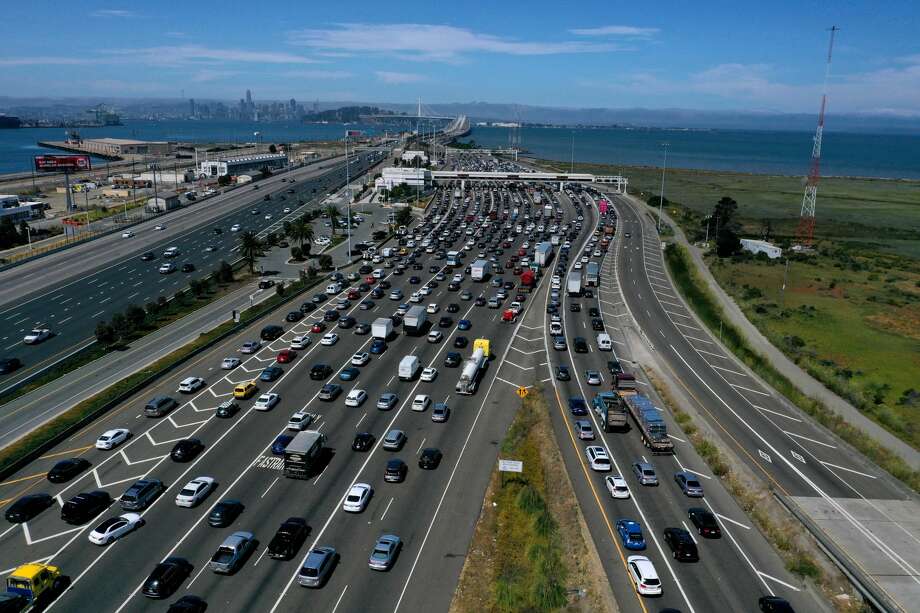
(867,513)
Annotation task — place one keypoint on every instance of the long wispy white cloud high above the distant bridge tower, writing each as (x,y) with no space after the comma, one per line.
(428,42)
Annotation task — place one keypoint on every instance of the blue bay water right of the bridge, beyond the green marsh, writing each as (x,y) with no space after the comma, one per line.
(770,152)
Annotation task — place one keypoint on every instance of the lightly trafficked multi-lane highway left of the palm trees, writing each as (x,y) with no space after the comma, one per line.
(71,291)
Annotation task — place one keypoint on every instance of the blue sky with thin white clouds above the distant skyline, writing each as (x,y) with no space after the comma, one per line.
(702,55)
